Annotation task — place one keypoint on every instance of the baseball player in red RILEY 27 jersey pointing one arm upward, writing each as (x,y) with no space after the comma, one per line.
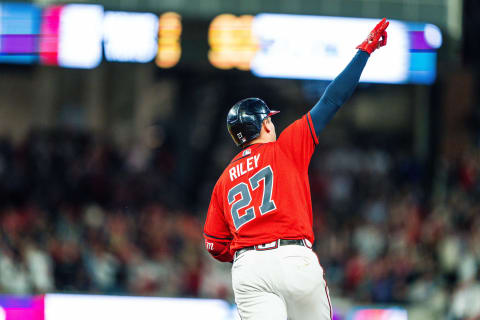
(260,212)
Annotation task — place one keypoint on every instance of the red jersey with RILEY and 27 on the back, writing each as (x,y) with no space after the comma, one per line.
(264,194)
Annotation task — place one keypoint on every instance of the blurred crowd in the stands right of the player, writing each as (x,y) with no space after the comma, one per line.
(384,236)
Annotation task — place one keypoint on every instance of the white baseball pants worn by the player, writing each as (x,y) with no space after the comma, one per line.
(281,283)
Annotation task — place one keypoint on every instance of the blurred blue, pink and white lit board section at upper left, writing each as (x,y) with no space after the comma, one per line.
(59,35)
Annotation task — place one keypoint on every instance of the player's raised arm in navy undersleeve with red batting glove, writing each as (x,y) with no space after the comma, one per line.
(340,89)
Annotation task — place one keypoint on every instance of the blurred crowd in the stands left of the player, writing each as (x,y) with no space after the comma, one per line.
(78,215)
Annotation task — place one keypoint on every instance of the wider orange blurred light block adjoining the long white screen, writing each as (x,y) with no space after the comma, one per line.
(232,43)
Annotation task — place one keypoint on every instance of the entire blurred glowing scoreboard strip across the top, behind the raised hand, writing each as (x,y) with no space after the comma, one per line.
(268,45)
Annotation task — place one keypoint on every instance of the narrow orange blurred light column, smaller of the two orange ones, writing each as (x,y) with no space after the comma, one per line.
(169,32)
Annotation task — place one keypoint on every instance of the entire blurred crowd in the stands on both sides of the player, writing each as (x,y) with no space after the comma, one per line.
(79,215)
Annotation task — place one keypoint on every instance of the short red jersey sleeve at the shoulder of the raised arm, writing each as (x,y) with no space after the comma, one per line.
(298,141)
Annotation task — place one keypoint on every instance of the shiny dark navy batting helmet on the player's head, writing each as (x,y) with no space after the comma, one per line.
(244,120)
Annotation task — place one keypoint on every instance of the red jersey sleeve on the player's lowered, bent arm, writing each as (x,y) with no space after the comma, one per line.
(216,232)
